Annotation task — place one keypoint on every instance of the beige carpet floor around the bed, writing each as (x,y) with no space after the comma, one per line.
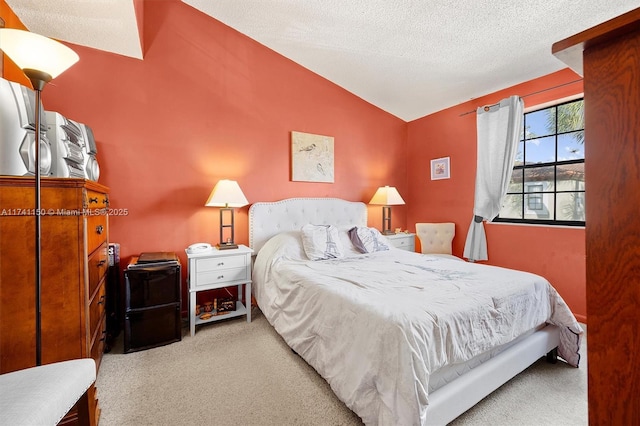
(239,373)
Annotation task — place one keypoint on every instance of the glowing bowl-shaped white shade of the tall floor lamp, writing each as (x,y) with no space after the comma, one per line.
(31,51)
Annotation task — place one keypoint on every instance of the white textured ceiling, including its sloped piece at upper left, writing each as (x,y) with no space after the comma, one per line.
(408,57)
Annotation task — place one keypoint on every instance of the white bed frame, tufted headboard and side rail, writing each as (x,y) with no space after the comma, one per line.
(267,219)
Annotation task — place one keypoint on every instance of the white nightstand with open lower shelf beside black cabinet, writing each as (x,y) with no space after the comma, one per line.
(217,269)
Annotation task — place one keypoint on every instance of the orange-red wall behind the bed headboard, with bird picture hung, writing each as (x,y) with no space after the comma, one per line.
(209,103)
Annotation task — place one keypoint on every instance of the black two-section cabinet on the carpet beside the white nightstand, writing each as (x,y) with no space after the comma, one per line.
(153,300)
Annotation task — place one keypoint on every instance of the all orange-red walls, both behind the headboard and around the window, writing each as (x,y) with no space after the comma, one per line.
(208,103)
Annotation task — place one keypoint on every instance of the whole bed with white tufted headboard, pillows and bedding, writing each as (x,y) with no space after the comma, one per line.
(402,338)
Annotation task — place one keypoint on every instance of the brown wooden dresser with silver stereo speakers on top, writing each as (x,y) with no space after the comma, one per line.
(74,241)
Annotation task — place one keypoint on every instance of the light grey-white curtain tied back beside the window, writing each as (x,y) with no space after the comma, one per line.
(499,128)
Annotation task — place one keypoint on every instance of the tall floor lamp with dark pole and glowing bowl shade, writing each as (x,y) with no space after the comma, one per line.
(41,59)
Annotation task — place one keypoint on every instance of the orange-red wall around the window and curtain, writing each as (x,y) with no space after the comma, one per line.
(556,253)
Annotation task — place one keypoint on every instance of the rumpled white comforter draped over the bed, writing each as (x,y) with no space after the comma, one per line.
(375,326)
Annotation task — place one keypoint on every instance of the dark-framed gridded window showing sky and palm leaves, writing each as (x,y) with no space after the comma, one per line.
(547,185)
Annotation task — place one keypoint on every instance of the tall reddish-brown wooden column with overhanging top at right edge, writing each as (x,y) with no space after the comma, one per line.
(608,56)
